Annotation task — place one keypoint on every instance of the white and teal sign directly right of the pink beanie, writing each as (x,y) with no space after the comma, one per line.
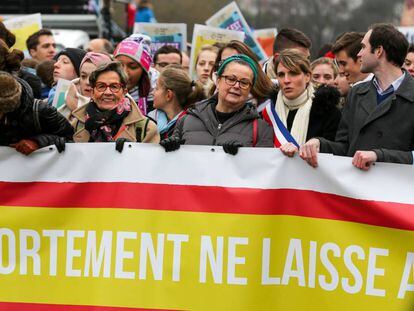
(164,34)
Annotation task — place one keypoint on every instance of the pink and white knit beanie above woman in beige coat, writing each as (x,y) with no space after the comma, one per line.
(137,47)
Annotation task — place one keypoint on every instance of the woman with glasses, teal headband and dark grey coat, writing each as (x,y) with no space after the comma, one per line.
(226,118)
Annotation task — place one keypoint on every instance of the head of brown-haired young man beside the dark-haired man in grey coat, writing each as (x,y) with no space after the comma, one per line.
(346,50)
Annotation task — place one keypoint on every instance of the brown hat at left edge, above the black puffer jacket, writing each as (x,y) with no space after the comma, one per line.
(10,92)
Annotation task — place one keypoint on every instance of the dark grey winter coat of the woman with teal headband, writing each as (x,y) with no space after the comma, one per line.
(200,127)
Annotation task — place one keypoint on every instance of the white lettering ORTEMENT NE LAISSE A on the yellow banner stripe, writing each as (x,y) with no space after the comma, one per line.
(88,256)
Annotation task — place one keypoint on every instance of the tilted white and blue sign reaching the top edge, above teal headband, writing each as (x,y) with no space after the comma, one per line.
(230,17)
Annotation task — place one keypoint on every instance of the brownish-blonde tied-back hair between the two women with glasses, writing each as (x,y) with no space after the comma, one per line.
(176,79)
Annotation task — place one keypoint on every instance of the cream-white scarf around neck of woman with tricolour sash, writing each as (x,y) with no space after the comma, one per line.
(303,103)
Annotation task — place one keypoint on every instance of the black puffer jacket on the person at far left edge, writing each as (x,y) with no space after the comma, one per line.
(20,124)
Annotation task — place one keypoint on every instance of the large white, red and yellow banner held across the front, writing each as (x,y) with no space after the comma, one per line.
(198,229)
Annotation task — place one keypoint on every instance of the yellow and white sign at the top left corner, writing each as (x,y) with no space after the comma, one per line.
(22,27)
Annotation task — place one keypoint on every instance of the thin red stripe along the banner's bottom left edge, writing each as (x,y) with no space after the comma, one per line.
(18,306)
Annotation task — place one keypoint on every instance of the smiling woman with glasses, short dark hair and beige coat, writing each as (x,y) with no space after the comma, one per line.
(112,115)
